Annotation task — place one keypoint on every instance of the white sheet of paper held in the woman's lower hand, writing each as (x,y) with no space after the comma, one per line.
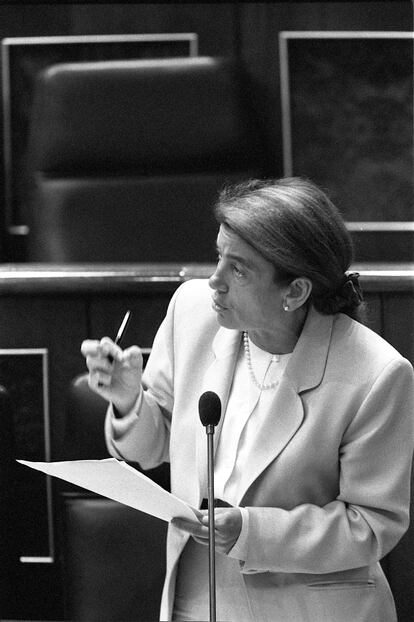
(121,482)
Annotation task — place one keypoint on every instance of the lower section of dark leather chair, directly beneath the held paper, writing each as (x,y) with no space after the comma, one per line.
(113,561)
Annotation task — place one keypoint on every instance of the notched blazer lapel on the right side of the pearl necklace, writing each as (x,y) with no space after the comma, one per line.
(303,372)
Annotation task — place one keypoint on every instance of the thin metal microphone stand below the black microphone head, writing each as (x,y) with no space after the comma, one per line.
(211,524)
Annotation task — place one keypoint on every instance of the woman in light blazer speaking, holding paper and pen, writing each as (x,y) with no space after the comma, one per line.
(314,447)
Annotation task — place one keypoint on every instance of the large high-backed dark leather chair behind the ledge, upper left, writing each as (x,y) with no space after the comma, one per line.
(126,158)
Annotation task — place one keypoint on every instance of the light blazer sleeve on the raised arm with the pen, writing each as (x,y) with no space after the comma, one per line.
(143,434)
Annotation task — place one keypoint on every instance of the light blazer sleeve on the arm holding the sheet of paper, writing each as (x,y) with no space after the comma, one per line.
(371,512)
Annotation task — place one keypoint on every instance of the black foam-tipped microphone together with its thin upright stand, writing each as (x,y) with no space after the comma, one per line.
(209,408)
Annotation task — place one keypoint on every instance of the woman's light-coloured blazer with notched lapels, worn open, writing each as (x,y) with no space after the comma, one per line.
(327,482)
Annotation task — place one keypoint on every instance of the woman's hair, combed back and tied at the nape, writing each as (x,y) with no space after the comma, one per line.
(294,225)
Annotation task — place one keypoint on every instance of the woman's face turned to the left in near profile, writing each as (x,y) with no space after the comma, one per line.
(245,296)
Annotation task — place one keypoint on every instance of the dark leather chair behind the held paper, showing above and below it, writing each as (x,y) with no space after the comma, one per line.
(113,557)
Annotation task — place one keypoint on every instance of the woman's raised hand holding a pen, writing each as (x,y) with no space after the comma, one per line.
(115,374)
